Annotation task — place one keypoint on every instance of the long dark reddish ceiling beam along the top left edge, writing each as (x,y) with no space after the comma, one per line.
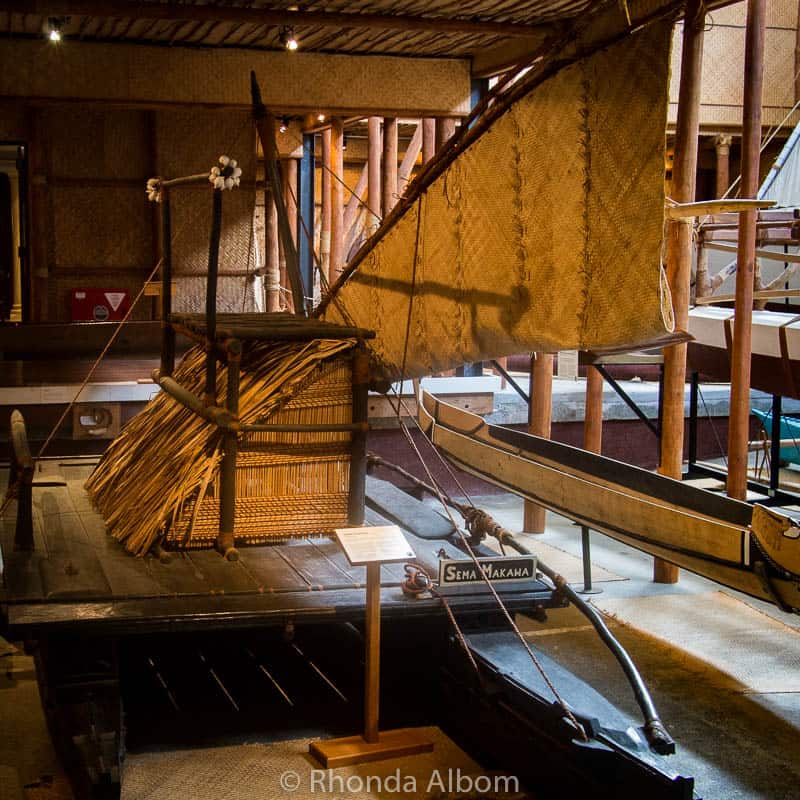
(260,16)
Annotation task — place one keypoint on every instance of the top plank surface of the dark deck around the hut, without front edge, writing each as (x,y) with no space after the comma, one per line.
(75,560)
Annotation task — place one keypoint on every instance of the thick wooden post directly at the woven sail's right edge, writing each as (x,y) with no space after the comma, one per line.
(679,254)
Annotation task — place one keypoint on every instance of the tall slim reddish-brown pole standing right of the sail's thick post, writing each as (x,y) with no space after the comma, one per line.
(739,419)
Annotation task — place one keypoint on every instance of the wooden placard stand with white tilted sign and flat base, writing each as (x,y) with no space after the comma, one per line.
(371,547)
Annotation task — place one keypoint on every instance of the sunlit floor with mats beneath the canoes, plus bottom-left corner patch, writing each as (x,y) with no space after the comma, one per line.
(724,671)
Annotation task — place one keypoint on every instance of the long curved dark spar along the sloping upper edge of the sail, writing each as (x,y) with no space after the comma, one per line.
(554,61)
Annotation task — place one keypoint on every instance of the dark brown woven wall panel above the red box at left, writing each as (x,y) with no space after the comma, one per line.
(102,227)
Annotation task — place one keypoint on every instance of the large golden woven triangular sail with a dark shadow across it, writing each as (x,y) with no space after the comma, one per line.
(545,234)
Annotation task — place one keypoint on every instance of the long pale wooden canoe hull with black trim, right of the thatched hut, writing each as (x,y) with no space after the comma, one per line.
(719,544)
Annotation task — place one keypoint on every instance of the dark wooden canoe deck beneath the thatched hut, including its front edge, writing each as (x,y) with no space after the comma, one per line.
(79,575)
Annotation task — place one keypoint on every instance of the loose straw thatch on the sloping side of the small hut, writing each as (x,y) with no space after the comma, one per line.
(163,456)
